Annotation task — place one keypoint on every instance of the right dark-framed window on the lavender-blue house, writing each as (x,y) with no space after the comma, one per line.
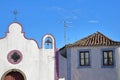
(108,58)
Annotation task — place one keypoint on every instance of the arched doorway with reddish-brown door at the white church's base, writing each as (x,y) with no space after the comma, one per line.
(13,74)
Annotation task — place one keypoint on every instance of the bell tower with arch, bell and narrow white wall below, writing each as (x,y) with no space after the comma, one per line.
(48,51)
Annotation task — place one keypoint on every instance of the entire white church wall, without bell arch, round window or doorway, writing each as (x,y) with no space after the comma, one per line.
(37,64)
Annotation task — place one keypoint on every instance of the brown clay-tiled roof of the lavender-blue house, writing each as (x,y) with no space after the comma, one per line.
(96,39)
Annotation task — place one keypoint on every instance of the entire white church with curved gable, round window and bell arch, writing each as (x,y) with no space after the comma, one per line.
(22,59)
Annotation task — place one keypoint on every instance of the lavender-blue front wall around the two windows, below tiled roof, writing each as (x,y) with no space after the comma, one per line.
(95,71)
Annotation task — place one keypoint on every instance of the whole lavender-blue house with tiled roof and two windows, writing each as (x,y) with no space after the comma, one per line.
(95,57)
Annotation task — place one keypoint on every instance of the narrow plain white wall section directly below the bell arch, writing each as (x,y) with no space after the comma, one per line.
(47,64)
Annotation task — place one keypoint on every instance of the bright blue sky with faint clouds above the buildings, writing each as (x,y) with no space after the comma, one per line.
(83,17)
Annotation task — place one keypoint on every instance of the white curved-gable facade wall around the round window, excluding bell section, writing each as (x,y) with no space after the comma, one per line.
(16,41)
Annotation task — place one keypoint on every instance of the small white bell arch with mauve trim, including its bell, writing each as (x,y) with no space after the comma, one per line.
(48,42)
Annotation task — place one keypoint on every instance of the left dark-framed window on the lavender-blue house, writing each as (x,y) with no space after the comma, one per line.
(84,58)
